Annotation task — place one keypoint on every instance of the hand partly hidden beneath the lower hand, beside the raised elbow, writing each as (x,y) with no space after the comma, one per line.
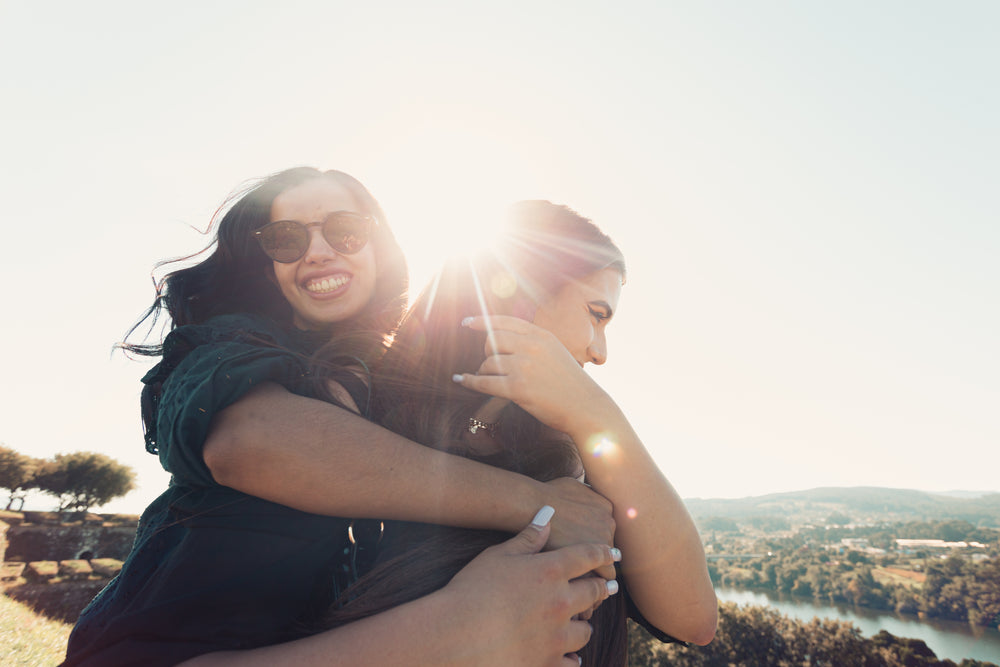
(582,516)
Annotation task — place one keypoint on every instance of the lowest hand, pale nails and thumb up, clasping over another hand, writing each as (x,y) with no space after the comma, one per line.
(525,606)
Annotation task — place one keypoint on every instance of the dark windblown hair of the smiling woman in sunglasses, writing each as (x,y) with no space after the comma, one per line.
(234,278)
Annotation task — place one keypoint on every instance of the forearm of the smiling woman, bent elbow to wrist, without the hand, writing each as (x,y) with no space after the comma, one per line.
(316,457)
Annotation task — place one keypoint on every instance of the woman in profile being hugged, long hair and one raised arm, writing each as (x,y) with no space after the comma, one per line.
(508,387)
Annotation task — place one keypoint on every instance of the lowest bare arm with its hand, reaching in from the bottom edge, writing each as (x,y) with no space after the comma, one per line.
(509,606)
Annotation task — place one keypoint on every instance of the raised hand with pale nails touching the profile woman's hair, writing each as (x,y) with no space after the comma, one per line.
(530,366)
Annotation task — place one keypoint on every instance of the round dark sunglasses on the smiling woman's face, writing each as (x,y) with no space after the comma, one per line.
(287,241)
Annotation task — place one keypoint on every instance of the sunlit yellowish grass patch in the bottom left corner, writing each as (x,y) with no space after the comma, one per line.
(28,639)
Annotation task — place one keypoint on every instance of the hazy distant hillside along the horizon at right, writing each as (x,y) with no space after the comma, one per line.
(861,504)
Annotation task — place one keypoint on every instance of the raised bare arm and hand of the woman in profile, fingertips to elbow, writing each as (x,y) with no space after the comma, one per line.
(664,562)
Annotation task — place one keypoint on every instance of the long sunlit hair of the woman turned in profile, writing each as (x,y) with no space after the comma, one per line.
(544,247)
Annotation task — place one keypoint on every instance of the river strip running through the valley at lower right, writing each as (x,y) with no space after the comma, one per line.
(948,639)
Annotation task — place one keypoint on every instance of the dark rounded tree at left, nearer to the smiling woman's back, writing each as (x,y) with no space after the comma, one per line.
(81,480)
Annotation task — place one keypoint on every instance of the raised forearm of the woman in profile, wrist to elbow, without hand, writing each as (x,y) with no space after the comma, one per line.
(664,562)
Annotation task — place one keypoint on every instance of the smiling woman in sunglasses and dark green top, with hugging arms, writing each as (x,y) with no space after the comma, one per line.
(250,543)
